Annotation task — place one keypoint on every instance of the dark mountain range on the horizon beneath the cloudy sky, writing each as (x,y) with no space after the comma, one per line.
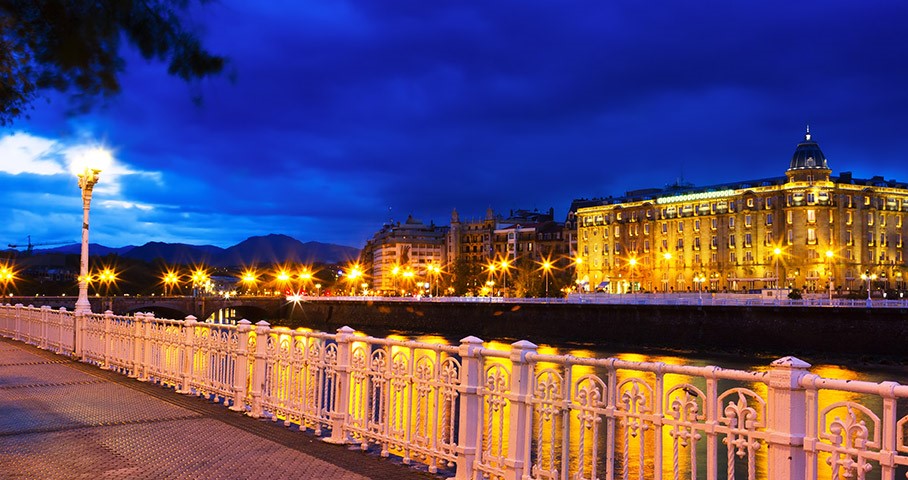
(268,249)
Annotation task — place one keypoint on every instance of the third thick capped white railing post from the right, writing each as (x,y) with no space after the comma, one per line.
(470,406)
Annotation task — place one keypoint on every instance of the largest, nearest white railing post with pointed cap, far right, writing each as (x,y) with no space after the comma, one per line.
(787,419)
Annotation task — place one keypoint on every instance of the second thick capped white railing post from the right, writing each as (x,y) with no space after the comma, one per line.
(521,414)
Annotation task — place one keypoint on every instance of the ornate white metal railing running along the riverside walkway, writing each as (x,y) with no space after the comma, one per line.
(511,413)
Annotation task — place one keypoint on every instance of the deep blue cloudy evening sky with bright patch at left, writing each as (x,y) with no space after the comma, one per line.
(343,115)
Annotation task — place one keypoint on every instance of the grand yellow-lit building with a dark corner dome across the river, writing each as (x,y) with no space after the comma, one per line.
(807,229)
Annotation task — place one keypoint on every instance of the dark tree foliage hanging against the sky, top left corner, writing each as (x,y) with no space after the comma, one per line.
(73,46)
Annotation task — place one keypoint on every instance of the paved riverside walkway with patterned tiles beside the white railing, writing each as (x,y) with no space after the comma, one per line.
(65,419)
